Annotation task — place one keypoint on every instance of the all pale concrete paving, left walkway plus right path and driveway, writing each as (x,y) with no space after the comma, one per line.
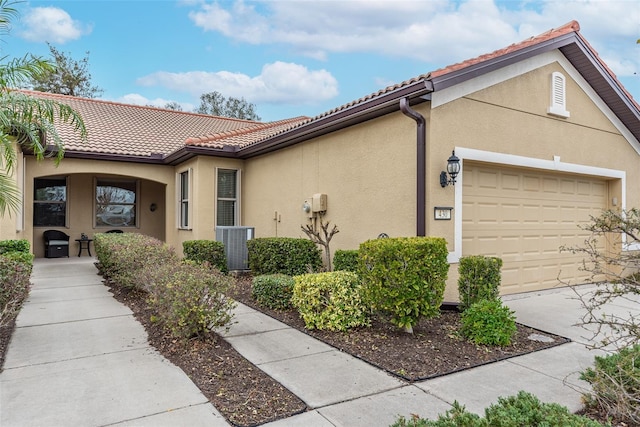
(79,358)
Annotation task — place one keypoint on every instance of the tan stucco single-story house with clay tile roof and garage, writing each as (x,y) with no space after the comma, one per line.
(545,134)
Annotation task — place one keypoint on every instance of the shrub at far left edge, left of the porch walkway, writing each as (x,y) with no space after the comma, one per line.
(15,272)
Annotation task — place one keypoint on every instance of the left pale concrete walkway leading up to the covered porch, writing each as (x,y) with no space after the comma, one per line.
(79,358)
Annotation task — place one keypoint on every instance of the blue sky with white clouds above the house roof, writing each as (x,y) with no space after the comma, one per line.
(297,57)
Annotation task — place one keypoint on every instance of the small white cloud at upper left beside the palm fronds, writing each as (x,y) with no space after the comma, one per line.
(51,24)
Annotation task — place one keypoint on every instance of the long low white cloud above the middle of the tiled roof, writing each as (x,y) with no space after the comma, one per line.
(279,82)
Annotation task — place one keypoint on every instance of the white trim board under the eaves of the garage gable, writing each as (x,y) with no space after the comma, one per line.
(484,81)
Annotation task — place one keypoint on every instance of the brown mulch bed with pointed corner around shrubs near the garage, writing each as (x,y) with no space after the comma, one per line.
(435,348)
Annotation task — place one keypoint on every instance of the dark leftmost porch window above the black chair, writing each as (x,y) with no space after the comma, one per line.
(49,202)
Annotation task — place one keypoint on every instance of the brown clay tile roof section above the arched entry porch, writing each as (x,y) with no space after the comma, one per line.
(133,130)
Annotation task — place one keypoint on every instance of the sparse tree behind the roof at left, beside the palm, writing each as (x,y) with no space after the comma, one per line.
(68,77)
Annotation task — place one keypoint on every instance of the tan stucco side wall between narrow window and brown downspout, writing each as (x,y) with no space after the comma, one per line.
(368,173)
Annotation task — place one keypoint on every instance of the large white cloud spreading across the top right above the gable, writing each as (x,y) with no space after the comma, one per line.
(437,32)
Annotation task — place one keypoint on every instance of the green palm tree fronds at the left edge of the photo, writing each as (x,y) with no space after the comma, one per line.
(25,120)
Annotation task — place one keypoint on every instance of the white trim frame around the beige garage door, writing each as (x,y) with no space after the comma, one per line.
(501,159)
